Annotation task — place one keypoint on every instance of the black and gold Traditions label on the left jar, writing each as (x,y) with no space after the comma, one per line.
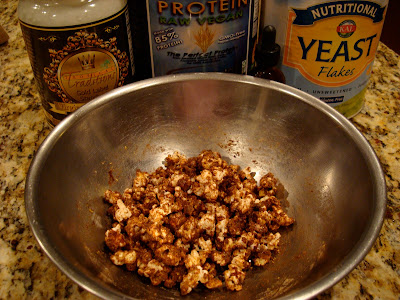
(73,65)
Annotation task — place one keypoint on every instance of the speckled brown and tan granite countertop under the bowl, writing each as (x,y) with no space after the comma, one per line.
(25,272)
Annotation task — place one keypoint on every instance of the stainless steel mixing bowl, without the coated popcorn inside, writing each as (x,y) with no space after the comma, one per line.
(334,186)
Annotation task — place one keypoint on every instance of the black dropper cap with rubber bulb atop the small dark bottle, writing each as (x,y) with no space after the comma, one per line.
(268,52)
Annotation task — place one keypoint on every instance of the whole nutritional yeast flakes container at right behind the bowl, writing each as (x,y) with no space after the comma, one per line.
(328,46)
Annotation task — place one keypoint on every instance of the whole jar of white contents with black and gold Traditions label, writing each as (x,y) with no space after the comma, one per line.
(78,49)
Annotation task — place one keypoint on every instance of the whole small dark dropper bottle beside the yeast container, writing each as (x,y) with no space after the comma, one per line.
(267,56)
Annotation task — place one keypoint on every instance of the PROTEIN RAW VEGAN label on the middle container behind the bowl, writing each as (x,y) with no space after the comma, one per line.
(199,36)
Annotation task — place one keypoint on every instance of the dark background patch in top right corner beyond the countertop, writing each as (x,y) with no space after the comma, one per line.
(391,28)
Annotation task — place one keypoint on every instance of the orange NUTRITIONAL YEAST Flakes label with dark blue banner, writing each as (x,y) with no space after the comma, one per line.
(347,46)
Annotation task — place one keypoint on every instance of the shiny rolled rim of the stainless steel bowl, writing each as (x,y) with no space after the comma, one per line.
(349,262)
